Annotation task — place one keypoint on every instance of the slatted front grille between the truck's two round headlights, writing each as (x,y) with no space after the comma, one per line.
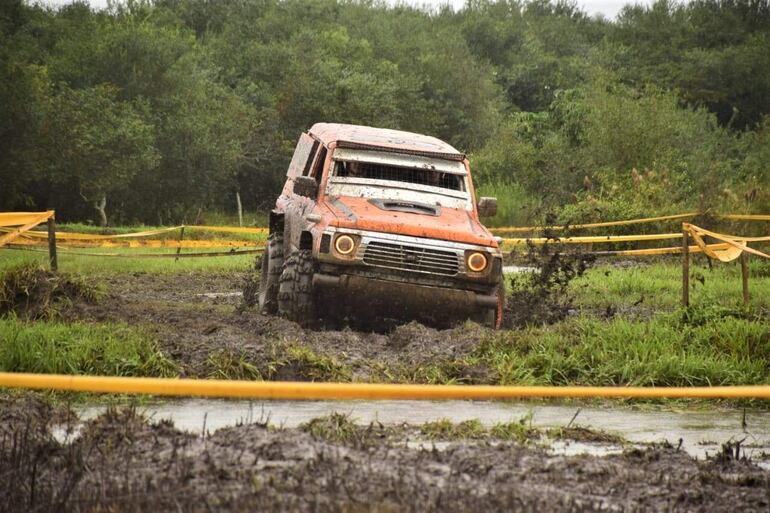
(410,258)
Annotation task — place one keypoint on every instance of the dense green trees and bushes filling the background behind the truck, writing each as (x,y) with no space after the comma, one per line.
(153,111)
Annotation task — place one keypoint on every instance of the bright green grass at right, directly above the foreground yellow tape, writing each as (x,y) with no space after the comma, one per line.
(667,350)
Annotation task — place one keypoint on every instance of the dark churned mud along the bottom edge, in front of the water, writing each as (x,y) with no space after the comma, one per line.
(121,462)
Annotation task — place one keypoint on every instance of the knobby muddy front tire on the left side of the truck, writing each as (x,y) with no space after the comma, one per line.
(295,296)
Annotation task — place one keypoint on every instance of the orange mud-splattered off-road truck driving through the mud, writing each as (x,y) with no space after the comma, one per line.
(380,224)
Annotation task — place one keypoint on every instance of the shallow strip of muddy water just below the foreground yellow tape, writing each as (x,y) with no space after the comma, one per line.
(702,432)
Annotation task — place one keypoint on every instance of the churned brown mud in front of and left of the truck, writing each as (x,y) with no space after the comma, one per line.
(197,320)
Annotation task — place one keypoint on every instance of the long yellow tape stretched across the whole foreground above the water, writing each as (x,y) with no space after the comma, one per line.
(310,391)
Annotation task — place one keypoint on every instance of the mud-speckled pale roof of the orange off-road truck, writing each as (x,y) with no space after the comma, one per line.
(384,139)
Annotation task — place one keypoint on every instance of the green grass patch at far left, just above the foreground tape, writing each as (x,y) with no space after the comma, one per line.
(78,348)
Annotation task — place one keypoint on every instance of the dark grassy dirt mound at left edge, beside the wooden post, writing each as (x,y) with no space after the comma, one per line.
(31,292)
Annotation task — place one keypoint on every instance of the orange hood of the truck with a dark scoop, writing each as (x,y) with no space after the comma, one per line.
(451,224)
